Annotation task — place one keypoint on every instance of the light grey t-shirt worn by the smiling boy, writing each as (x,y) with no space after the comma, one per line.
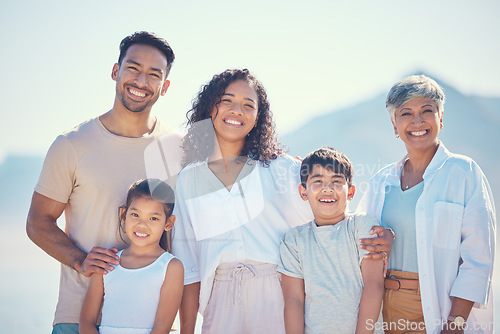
(328,259)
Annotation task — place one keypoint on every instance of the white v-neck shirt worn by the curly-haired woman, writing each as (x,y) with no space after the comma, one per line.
(215,226)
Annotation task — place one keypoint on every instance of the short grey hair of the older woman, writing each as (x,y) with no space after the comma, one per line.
(412,87)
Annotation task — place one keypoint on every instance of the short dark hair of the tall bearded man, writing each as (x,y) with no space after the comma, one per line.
(147,38)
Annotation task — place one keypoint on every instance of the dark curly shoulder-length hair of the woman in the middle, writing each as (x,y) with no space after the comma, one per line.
(260,144)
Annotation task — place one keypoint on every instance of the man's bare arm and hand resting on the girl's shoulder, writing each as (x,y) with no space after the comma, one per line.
(42,229)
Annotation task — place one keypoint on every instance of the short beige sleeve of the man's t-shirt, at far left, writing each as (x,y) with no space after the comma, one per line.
(57,178)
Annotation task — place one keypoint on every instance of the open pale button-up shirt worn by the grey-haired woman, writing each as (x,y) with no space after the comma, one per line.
(455,234)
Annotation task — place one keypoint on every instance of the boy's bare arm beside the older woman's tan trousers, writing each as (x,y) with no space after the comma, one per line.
(371,297)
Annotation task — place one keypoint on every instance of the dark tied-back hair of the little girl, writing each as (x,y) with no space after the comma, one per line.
(159,191)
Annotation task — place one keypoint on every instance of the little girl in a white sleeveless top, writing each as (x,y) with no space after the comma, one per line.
(143,293)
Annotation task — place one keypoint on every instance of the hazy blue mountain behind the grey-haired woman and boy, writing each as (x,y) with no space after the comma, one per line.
(365,134)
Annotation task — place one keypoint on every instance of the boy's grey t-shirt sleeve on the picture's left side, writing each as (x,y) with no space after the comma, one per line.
(290,263)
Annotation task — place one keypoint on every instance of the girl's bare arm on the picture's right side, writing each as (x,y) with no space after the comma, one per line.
(170,297)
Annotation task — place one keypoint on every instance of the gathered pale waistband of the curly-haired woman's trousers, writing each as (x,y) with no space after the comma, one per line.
(244,270)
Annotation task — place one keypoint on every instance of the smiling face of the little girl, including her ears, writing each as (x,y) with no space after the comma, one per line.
(145,221)
